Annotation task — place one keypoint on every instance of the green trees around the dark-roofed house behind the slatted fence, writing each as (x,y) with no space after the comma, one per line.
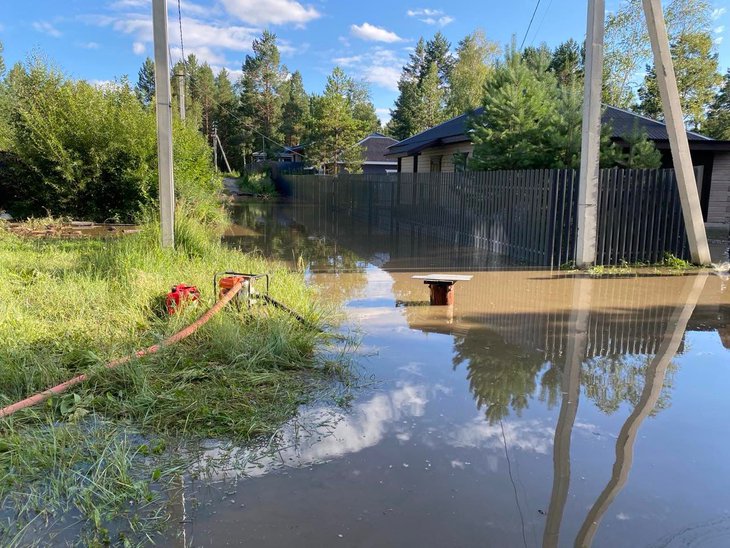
(532,98)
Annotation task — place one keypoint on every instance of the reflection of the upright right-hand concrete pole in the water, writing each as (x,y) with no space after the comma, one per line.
(575,354)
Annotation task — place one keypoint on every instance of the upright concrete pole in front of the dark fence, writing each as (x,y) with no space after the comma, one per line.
(590,152)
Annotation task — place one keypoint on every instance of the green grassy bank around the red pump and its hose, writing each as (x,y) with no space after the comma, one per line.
(95,460)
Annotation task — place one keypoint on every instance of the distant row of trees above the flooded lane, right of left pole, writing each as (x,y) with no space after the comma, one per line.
(268,108)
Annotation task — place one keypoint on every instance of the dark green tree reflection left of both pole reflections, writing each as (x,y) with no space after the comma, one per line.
(503,376)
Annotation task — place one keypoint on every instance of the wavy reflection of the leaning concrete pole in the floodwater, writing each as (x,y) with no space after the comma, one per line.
(653,384)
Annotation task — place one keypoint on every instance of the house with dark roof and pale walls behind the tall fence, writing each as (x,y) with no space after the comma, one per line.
(447,147)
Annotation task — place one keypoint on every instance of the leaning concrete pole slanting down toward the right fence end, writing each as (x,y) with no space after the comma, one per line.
(681,157)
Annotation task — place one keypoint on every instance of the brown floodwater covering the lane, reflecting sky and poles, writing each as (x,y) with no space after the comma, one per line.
(542,409)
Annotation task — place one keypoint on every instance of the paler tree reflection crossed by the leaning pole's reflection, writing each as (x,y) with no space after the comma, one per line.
(611,381)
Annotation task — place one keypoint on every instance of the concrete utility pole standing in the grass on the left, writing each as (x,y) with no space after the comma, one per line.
(164,123)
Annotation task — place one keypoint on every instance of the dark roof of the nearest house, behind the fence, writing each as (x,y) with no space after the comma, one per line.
(455,131)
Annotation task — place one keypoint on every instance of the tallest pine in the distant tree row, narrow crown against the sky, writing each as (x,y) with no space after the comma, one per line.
(261,103)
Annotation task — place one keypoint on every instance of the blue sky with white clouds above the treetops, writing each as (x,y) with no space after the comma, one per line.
(101,40)
